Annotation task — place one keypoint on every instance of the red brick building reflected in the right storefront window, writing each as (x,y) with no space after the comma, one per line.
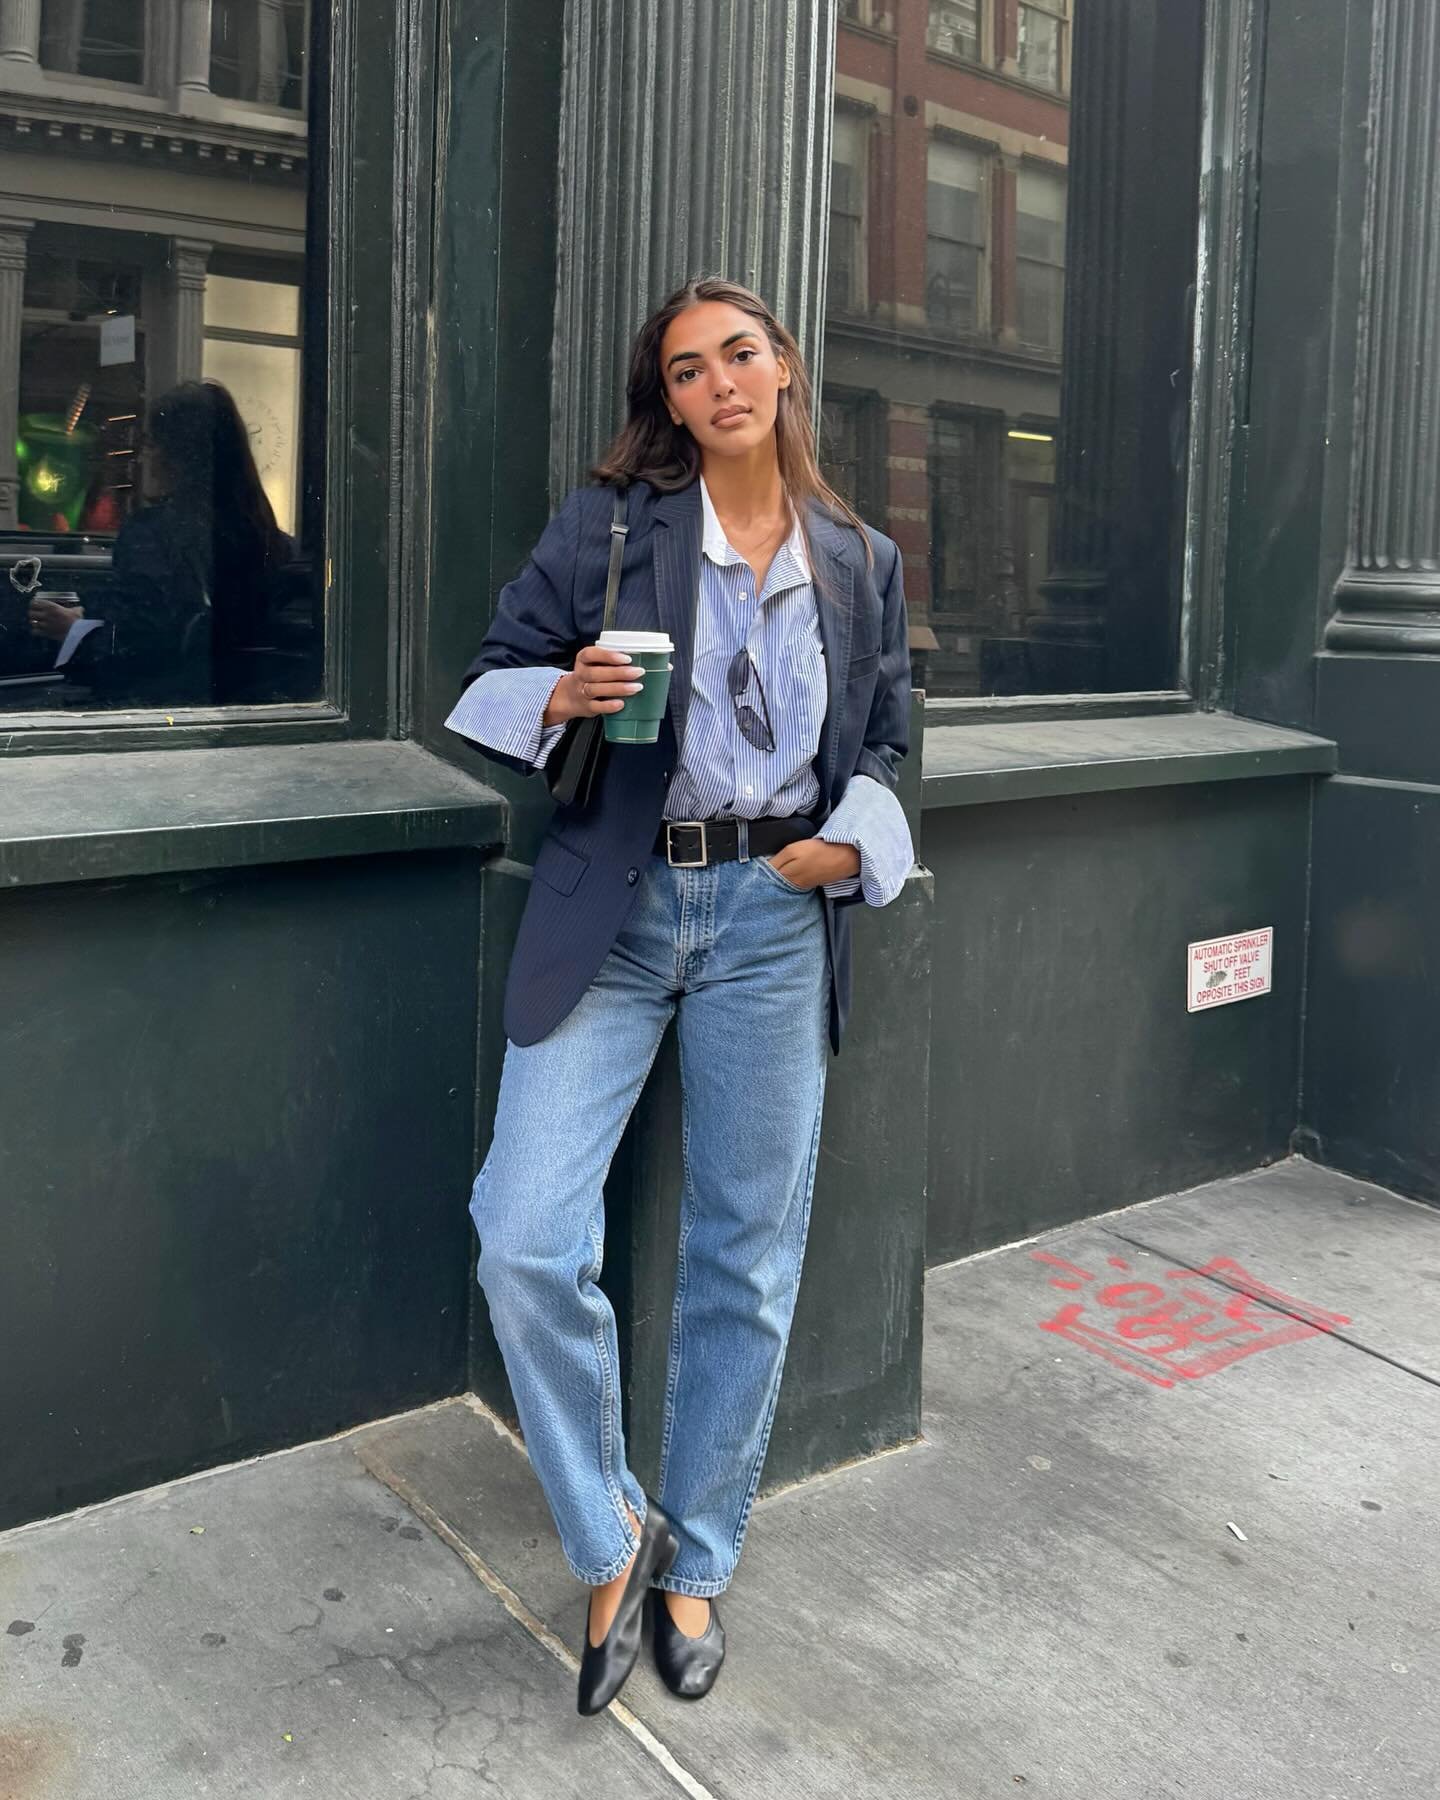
(944,319)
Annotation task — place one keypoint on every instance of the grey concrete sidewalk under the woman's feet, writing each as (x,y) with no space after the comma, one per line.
(1119,1567)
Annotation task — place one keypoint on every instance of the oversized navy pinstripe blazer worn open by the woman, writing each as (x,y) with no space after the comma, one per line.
(589,865)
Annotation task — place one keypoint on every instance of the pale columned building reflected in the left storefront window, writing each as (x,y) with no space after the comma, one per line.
(152,233)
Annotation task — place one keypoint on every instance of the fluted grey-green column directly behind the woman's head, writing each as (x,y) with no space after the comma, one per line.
(694,139)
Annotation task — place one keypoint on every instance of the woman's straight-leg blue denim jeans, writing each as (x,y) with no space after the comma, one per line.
(741,957)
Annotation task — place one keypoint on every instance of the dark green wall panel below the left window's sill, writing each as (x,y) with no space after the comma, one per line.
(238,1138)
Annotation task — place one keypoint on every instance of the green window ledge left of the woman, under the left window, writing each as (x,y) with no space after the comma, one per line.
(163,813)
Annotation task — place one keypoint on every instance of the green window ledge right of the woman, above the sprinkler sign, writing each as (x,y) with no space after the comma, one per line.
(967,766)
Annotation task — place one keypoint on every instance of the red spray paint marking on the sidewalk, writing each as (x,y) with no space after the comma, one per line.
(1155,1338)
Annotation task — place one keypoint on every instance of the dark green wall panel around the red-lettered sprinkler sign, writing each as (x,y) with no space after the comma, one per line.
(1068,1075)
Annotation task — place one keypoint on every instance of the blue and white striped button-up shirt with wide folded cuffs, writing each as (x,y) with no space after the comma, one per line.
(719,769)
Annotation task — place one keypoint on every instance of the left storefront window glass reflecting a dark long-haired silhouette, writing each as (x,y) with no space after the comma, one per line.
(159,498)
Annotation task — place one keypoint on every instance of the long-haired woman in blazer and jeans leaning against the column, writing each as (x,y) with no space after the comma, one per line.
(710,881)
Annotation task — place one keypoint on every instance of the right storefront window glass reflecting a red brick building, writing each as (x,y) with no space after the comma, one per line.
(1020,354)
